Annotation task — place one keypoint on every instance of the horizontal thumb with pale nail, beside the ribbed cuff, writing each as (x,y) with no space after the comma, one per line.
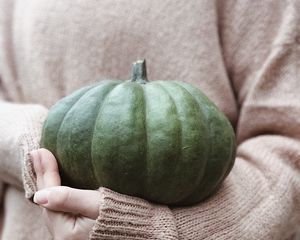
(70,200)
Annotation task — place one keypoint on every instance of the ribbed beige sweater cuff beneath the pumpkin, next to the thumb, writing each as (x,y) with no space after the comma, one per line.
(126,217)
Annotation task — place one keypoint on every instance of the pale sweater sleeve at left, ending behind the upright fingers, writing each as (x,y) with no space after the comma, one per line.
(20,127)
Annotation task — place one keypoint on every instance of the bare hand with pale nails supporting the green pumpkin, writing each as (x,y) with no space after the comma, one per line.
(68,213)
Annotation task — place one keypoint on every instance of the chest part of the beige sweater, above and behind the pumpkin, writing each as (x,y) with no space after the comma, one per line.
(57,47)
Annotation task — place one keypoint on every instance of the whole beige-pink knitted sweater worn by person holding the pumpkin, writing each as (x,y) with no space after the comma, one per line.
(245,55)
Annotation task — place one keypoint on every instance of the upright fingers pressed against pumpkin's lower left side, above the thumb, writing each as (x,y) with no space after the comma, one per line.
(46,169)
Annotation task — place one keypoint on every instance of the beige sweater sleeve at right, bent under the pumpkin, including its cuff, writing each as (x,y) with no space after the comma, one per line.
(260,199)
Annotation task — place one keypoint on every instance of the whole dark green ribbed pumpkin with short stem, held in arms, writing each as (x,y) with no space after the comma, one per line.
(163,141)
